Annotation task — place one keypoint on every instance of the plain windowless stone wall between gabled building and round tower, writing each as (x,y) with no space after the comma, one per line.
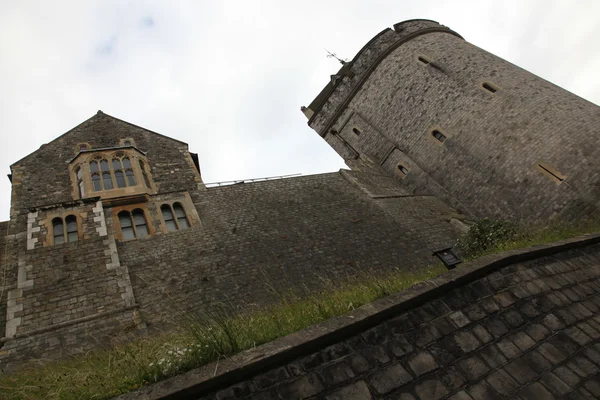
(282,234)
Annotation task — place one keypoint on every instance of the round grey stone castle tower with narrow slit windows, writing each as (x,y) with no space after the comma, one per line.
(447,118)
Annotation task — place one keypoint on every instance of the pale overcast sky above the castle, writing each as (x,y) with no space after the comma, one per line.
(229,77)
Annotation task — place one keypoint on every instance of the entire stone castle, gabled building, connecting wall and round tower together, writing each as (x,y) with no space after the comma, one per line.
(113,233)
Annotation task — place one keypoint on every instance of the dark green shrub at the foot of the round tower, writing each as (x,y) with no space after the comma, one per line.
(487,235)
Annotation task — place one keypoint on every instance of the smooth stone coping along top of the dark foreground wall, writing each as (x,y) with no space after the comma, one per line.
(248,363)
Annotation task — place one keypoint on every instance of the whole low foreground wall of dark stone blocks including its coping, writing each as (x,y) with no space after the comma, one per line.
(491,329)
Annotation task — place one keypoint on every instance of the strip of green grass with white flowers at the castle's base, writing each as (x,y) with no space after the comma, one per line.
(219,333)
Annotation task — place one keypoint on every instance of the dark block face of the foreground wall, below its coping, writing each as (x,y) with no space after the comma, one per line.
(527,331)
